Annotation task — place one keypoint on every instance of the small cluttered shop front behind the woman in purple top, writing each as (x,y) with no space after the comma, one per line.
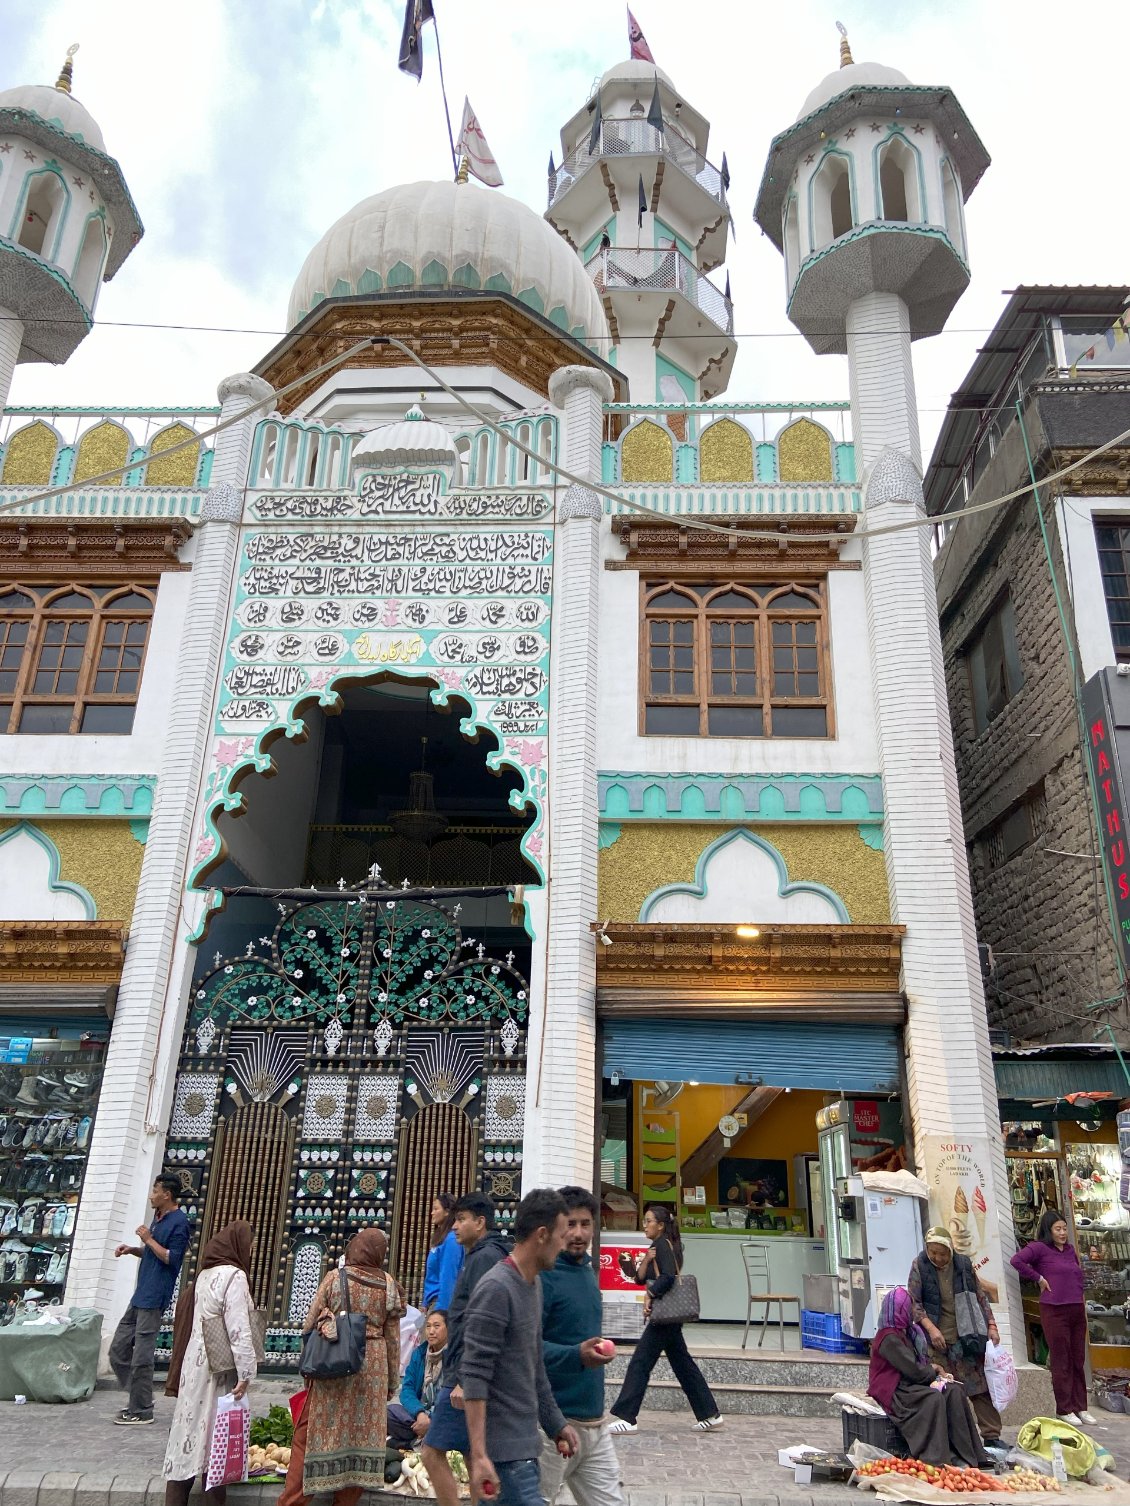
(1058,1118)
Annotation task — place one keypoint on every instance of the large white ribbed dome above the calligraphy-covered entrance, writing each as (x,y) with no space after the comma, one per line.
(435,236)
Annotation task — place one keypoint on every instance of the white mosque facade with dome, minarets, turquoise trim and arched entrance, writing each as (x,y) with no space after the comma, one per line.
(481,749)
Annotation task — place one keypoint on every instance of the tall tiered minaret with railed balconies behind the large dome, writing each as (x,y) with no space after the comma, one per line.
(647,213)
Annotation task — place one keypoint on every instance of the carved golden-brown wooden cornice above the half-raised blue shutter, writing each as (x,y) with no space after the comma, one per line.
(719,969)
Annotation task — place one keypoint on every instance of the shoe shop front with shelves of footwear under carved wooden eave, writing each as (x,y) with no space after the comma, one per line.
(58,984)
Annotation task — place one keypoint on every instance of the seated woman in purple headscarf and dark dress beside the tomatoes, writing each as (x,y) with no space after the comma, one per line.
(927,1406)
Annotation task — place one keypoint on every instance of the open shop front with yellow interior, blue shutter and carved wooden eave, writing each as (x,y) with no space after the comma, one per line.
(719,1055)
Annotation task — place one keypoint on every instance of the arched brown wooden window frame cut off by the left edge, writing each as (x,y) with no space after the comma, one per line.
(99,615)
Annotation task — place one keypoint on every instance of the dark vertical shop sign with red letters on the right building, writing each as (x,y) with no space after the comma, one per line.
(1107,715)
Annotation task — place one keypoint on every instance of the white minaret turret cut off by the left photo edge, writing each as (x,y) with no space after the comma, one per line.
(72,216)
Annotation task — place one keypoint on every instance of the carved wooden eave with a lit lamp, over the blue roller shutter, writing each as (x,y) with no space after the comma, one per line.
(846,974)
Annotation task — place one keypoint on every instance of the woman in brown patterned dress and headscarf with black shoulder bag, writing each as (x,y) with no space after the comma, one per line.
(340,1437)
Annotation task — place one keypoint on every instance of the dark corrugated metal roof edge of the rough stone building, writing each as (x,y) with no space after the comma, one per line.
(995,364)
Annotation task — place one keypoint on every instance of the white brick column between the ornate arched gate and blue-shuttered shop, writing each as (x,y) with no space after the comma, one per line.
(561,1099)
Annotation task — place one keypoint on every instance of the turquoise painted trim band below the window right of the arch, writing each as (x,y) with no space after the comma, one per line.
(736,797)
